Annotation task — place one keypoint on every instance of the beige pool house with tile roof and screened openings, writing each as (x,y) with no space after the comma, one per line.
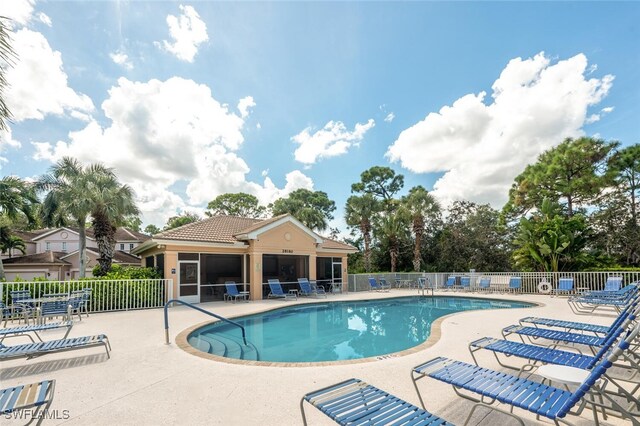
(201,256)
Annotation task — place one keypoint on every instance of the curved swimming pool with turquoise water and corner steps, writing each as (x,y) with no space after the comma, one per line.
(335,331)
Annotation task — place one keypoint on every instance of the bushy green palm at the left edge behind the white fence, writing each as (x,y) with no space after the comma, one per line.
(16,198)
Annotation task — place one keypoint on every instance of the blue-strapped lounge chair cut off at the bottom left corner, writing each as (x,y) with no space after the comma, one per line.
(30,398)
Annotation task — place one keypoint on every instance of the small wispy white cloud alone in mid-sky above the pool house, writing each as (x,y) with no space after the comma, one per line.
(332,140)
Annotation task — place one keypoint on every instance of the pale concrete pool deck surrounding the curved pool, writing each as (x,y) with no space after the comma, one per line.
(148,383)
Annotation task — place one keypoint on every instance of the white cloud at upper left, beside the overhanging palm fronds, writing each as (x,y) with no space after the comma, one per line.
(39,63)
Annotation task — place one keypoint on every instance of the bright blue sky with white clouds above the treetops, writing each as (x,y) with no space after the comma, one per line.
(190,100)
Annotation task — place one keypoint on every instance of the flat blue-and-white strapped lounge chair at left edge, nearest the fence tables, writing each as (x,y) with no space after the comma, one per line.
(33,350)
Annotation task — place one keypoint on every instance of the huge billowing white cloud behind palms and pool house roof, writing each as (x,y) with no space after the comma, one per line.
(164,133)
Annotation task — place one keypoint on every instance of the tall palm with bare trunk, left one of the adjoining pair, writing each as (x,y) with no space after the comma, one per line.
(71,192)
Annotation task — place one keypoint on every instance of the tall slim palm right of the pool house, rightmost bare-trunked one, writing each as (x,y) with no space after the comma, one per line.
(421,207)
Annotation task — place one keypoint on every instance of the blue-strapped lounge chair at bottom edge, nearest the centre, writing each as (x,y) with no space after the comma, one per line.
(354,402)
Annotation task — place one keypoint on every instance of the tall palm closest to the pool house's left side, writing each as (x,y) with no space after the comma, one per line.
(113,203)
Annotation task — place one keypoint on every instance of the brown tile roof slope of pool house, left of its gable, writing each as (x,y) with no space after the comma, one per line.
(217,229)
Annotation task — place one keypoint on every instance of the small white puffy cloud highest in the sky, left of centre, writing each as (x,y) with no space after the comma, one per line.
(188,31)
